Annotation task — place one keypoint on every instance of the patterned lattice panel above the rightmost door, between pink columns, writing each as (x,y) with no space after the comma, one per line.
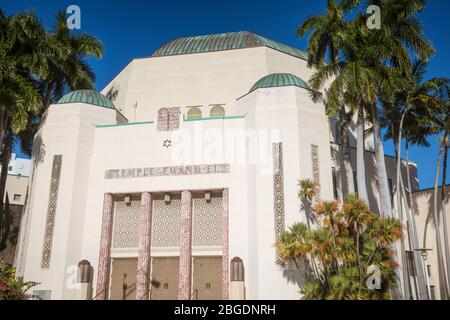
(207,222)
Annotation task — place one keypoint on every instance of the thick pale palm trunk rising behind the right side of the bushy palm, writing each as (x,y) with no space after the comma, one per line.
(383,185)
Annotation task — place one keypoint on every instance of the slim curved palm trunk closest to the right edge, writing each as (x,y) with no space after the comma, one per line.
(442,276)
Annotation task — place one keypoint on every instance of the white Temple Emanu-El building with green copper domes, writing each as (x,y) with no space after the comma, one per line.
(176,180)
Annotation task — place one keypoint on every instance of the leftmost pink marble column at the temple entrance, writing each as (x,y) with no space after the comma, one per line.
(104,259)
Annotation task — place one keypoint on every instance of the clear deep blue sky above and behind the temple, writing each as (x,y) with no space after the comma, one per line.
(136,28)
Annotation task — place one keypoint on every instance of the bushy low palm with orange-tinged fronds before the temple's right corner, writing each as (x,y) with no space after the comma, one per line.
(348,239)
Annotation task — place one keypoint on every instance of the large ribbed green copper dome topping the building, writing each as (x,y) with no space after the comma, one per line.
(223,41)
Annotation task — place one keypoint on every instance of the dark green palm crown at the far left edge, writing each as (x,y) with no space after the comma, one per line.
(23,52)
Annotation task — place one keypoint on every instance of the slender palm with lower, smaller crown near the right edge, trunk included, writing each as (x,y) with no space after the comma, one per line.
(406,116)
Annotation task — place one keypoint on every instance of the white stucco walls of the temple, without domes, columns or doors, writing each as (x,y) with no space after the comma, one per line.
(65,207)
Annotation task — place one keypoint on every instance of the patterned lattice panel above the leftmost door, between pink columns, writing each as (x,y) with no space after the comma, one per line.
(125,224)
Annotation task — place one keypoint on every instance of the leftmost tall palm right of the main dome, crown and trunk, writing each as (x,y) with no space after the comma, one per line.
(324,31)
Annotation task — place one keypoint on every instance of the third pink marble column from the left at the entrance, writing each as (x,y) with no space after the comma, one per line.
(184,283)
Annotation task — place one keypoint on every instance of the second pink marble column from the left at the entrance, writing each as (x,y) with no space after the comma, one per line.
(145,224)
